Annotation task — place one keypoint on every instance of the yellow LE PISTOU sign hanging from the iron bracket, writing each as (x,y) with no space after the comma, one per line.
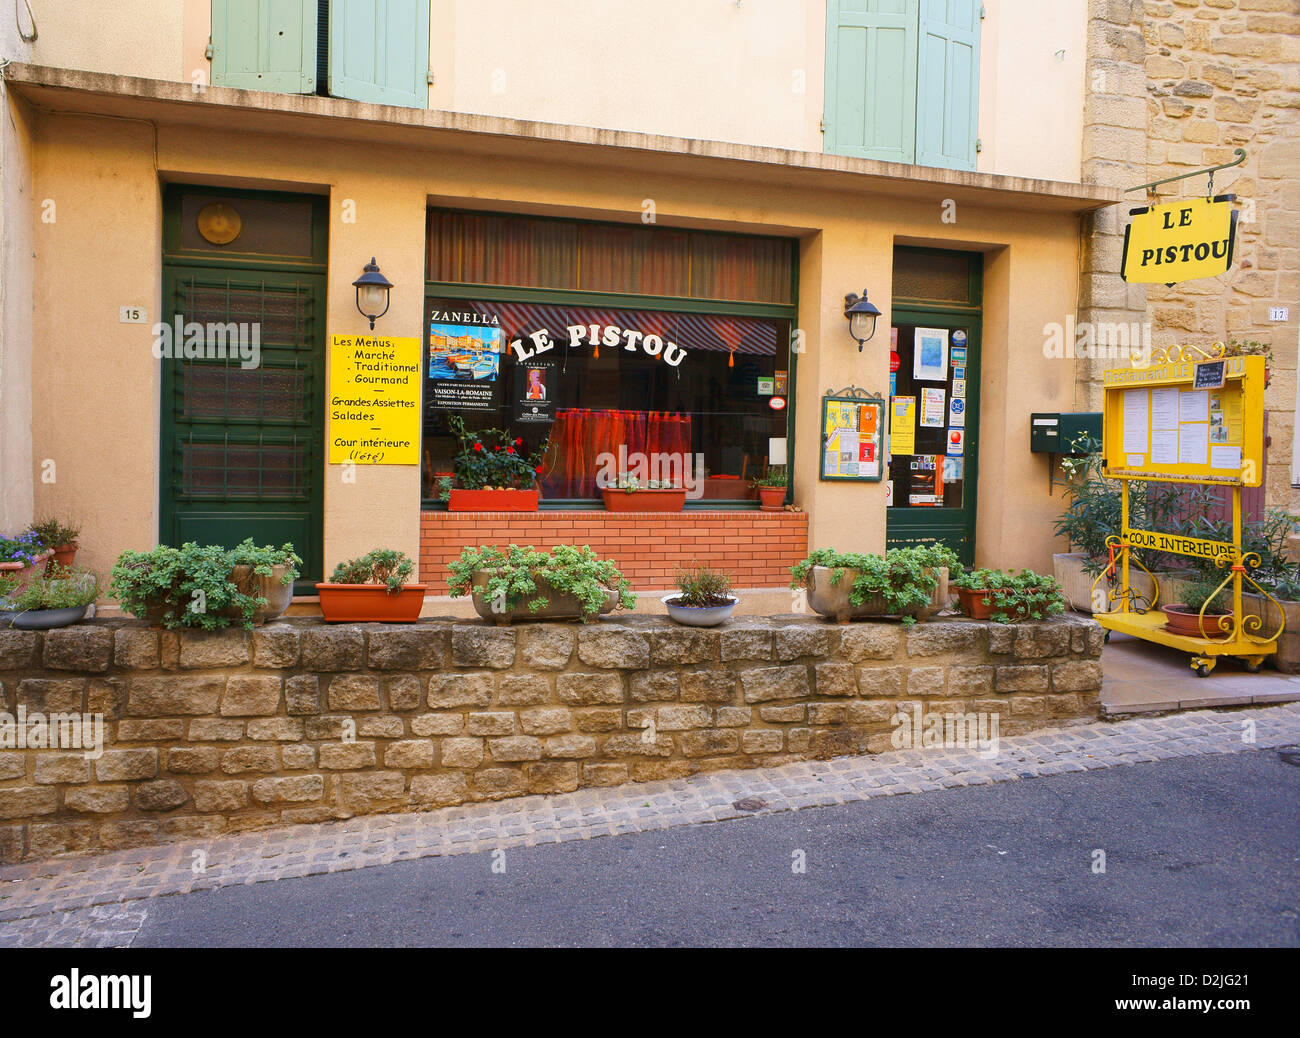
(1181,241)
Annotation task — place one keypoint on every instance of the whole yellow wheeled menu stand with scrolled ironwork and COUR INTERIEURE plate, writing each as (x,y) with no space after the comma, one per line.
(1191,416)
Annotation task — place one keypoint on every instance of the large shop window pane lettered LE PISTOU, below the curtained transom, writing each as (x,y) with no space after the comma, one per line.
(652,393)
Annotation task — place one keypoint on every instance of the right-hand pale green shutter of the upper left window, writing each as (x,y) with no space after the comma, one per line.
(379,51)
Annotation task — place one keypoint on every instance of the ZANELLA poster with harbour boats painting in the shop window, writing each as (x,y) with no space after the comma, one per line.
(463,360)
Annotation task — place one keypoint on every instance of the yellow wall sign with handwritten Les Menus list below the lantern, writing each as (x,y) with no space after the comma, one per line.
(374,400)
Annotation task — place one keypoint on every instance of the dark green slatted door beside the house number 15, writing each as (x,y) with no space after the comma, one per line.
(242,444)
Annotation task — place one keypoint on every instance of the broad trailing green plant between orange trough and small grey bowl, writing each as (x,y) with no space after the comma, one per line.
(513,577)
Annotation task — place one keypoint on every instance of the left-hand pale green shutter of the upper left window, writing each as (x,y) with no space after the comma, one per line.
(265,45)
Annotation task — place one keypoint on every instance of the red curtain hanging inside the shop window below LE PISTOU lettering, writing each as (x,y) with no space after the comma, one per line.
(580,438)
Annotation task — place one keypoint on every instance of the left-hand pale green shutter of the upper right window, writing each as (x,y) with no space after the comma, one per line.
(872,79)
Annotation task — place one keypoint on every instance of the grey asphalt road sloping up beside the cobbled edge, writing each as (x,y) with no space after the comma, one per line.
(1199,851)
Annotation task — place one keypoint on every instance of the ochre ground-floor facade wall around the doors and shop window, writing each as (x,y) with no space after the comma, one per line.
(97,383)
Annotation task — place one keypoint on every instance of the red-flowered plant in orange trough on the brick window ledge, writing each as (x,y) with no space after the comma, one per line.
(493,472)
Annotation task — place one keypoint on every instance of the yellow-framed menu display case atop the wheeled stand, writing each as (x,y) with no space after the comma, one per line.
(1169,422)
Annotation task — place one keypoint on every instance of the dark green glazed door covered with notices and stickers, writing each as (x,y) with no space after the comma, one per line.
(934,490)
